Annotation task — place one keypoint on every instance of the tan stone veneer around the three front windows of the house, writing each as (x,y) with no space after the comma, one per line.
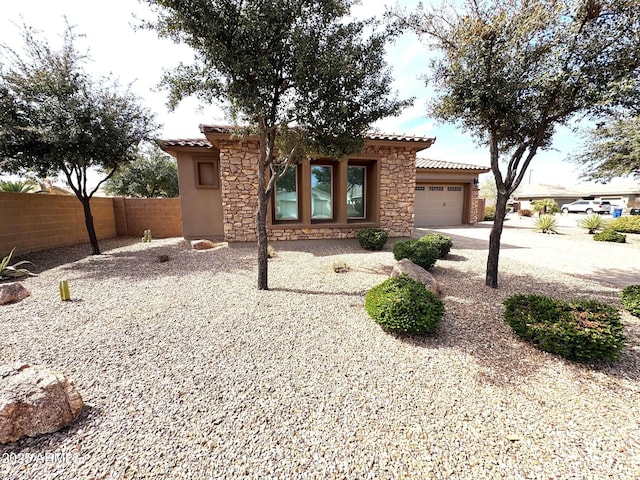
(239,184)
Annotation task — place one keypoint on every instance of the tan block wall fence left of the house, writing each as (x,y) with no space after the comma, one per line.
(30,222)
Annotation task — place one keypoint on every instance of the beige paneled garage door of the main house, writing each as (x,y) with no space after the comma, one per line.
(439,205)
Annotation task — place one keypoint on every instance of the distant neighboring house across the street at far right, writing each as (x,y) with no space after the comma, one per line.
(623,195)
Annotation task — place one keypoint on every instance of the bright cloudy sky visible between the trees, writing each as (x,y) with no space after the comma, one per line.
(138,58)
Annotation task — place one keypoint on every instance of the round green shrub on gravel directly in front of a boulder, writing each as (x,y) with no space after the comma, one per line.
(403,305)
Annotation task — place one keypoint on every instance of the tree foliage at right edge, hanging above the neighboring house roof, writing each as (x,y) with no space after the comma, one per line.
(612,150)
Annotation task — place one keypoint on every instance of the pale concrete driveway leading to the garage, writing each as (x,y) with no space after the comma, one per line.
(571,251)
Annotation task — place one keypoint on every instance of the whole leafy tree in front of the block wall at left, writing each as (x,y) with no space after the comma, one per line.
(54,118)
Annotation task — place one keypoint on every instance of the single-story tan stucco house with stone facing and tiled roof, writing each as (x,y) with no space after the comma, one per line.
(382,186)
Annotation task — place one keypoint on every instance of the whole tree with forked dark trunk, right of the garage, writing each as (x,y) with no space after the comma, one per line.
(510,71)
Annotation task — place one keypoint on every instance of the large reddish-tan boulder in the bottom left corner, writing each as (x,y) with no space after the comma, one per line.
(35,400)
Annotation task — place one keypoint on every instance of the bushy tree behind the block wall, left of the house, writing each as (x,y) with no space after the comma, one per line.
(152,174)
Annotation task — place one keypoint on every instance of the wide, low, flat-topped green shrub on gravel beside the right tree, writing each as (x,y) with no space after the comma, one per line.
(580,330)
